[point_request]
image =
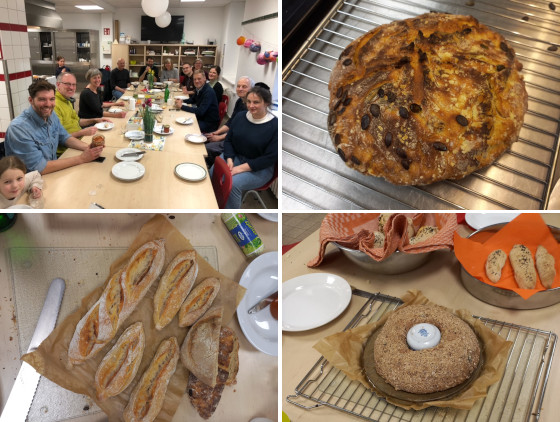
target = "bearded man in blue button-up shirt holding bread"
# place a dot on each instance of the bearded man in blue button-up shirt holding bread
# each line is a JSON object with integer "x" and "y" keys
{"x": 35, "y": 134}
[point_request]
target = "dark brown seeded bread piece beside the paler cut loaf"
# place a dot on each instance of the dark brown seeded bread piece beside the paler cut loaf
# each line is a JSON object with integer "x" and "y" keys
{"x": 205, "y": 399}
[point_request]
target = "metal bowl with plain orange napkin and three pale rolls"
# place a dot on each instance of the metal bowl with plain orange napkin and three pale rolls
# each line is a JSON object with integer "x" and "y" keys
{"x": 507, "y": 298}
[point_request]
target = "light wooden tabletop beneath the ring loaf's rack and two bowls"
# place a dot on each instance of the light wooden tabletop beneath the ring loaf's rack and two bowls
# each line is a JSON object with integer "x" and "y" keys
{"x": 439, "y": 280}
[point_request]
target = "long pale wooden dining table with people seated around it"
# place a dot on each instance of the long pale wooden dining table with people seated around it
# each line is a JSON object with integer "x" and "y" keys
{"x": 83, "y": 186}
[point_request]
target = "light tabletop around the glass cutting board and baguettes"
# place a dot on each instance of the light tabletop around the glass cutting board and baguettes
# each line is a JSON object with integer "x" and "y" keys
{"x": 258, "y": 373}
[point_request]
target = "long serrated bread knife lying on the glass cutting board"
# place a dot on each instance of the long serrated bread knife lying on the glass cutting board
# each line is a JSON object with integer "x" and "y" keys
{"x": 23, "y": 391}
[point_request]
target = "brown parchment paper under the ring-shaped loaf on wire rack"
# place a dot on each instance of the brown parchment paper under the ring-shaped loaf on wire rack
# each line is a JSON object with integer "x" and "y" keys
{"x": 344, "y": 352}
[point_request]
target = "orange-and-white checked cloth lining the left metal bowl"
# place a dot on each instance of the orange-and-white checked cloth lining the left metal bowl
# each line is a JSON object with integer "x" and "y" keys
{"x": 356, "y": 231}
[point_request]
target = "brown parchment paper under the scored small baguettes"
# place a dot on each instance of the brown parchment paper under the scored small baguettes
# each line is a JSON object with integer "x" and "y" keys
{"x": 51, "y": 358}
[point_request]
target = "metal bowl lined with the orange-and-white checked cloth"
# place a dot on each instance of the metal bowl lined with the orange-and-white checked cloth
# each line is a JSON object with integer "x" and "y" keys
{"x": 396, "y": 263}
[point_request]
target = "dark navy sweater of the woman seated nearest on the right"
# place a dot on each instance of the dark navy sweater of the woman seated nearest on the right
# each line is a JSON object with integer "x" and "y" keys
{"x": 258, "y": 143}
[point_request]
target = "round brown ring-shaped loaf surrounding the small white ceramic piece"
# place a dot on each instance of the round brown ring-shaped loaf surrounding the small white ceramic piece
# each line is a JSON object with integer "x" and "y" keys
{"x": 425, "y": 371}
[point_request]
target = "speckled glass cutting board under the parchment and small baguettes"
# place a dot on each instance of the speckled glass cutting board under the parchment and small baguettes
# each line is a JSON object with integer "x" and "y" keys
{"x": 32, "y": 270}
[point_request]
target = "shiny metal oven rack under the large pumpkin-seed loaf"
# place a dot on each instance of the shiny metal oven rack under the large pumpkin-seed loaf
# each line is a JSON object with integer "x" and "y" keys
{"x": 313, "y": 175}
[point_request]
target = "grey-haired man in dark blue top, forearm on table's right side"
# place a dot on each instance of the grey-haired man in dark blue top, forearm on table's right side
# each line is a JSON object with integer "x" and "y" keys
{"x": 204, "y": 104}
